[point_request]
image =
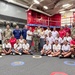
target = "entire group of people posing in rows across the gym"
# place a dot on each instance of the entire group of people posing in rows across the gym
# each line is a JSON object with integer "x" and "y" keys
{"x": 48, "y": 42}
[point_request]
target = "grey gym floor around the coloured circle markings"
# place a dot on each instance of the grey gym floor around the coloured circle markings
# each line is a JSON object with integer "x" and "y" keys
{"x": 43, "y": 66}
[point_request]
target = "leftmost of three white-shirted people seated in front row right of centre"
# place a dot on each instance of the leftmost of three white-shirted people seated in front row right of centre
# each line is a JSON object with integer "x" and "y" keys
{"x": 46, "y": 49}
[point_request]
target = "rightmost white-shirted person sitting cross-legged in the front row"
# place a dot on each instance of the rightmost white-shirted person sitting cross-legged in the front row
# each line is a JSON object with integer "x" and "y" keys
{"x": 66, "y": 49}
